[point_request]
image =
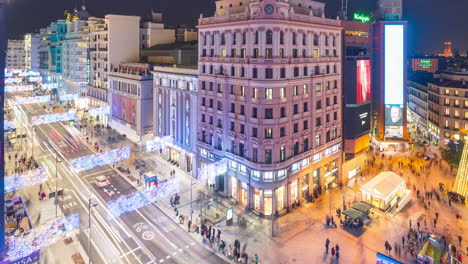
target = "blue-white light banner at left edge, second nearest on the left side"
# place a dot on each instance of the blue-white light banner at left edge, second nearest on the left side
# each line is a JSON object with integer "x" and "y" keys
{"x": 19, "y": 181}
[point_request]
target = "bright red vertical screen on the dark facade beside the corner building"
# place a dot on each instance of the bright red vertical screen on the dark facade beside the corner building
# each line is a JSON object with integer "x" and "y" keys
{"x": 363, "y": 81}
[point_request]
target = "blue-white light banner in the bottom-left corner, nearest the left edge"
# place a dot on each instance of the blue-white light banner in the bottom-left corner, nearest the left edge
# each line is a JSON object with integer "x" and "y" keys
{"x": 21, "y": 246}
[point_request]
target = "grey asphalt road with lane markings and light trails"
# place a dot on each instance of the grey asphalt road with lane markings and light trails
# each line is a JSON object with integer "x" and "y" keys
{"x": 146, "y": 235}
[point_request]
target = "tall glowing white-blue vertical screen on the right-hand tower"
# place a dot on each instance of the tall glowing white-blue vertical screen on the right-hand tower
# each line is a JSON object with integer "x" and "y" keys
{"x": 394, "y": 64}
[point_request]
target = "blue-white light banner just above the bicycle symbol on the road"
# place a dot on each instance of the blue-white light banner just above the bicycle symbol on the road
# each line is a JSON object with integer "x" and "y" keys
{"x": 139, "y": 199}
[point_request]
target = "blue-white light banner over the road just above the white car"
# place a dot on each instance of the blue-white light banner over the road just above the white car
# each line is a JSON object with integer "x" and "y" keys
{"x": 97, "y": 160}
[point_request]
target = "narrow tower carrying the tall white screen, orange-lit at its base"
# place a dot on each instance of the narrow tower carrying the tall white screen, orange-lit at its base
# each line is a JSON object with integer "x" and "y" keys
{"x": 389, "y": 53}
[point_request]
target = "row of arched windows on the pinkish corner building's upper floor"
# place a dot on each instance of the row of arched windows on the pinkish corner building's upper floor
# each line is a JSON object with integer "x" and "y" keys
{"x": 269, "y": 38}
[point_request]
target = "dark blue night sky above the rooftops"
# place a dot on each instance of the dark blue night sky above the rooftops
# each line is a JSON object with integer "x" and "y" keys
{"x": 431, "y": 22}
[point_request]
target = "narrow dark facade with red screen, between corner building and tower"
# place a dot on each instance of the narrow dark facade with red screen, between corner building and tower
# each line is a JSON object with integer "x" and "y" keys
{"x": 357, "y": 85}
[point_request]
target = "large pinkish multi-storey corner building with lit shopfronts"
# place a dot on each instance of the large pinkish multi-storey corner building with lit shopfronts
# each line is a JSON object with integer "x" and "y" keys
{"x": 270, "y": 101}
